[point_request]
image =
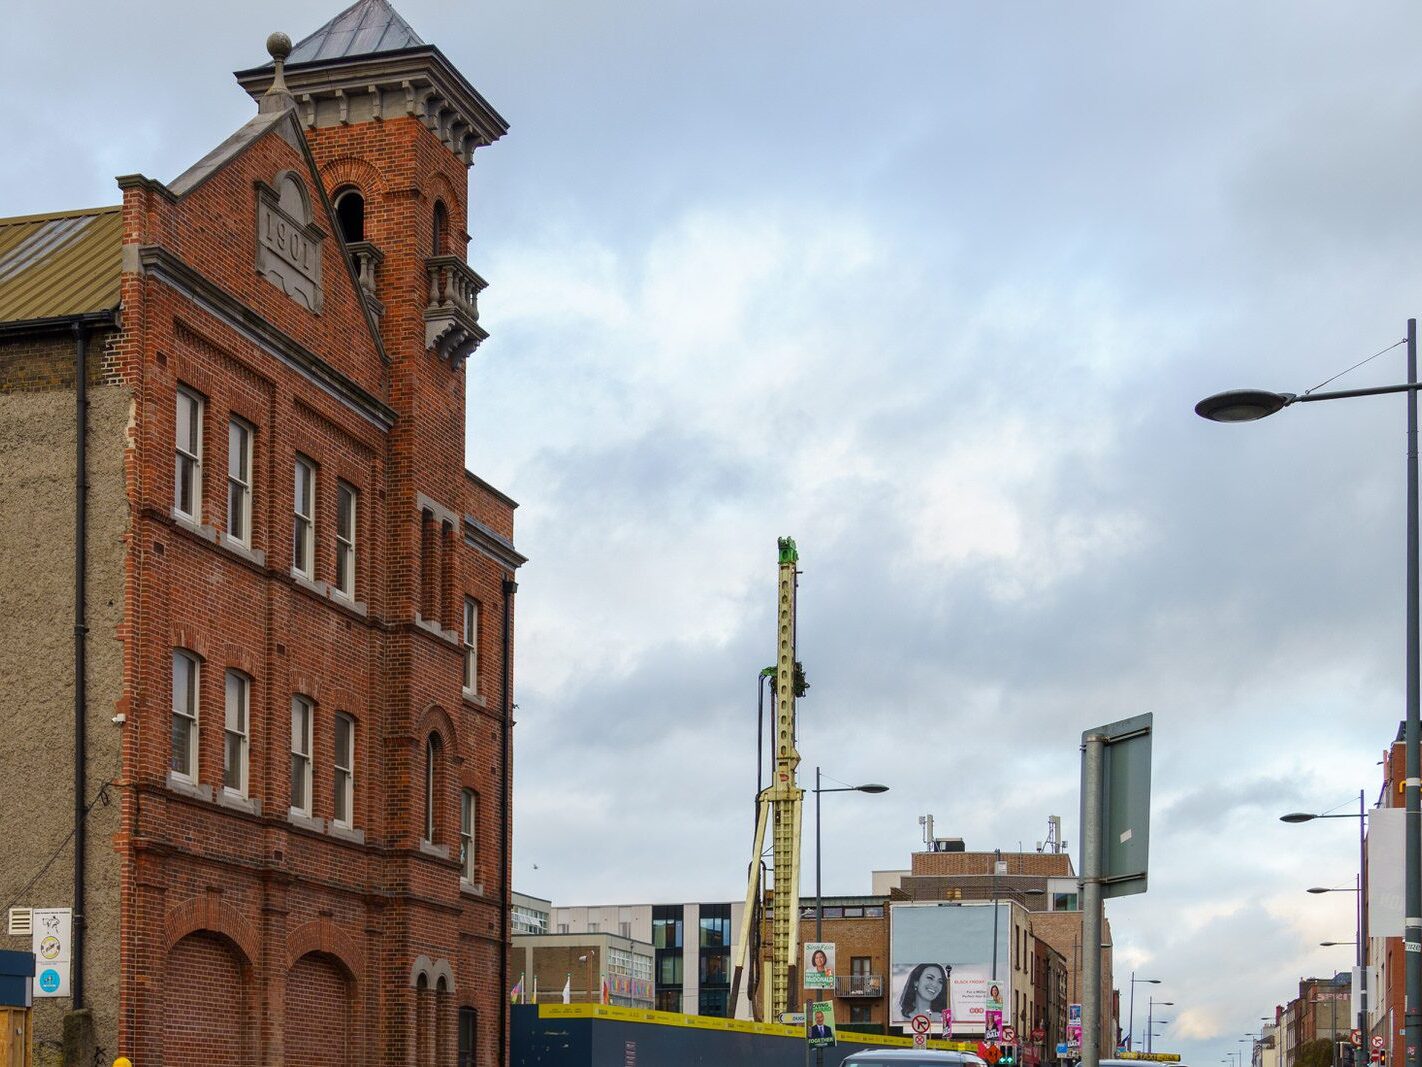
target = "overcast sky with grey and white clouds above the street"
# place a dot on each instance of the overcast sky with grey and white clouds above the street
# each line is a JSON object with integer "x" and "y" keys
{"x": 932, "y": 287}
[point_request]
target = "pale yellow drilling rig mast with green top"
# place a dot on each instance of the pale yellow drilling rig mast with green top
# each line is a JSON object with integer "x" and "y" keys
{"x": 779, "y": 810}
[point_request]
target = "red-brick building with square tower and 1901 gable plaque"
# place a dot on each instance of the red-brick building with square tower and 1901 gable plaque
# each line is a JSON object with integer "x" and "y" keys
{"x": 258, "y": 617}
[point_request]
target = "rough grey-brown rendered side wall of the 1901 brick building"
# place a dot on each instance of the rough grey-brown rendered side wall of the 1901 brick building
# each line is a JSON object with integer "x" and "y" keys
{"x": 38, "y": 674}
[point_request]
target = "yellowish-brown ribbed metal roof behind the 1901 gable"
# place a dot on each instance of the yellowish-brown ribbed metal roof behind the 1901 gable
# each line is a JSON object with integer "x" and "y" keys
{"x": 62, "y": 264}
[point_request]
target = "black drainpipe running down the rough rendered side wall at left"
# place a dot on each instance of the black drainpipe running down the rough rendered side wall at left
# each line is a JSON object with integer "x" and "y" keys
{"x": 80, "y": 642}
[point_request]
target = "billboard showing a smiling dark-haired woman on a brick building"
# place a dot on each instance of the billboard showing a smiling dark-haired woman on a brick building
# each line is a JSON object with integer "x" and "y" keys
{"x": 941, "y": 961}
